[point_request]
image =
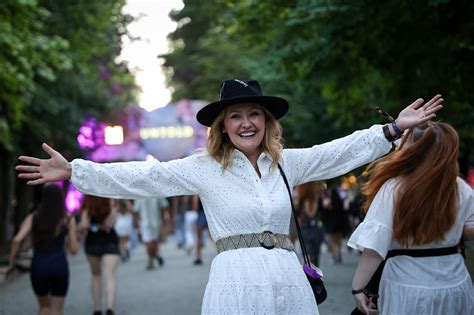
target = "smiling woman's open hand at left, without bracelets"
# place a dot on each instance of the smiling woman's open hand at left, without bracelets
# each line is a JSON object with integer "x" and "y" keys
{"x": 57, "y": 168}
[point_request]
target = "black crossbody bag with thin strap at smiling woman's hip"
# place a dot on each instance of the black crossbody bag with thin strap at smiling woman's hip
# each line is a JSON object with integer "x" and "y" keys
{"x": 313, "y": 274}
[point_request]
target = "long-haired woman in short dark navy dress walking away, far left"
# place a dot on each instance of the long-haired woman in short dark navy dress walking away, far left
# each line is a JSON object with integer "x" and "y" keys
{"x": 52, "y": 229}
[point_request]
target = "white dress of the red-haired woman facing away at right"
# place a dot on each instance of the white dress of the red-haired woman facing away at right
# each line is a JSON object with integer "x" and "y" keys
{"x": 426, "y": 285}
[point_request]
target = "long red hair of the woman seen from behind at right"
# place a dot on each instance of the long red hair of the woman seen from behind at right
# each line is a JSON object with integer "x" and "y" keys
{"x": 426, "y": 169}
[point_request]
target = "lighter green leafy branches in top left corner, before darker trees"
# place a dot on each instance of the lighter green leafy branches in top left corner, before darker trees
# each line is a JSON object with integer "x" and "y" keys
{"x": 27, "y": 53}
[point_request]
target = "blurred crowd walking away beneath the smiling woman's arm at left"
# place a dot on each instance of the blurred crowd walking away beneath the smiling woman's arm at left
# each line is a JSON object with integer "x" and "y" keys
{"x": 106, "y": 227}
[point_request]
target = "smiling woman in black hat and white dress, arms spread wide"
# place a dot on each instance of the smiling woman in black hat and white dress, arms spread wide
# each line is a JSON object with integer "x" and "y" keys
{"x": 242, "y": 191}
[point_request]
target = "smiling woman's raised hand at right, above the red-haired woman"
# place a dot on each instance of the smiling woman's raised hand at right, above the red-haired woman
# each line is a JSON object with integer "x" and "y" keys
{"x": 419, "y": 112}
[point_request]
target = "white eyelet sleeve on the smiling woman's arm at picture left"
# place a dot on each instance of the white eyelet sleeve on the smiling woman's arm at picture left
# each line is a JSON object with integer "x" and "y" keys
{"x": 135, "y": 180}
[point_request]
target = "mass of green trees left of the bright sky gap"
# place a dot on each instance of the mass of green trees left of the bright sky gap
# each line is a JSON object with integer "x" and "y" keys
{"x": 58, "y": 65}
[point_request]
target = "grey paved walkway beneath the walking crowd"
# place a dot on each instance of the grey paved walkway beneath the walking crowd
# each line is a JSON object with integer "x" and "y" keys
{"x": 176, "y": 288}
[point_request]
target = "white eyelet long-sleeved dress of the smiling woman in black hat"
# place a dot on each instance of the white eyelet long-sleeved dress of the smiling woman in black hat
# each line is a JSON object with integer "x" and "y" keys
{"x": 238, "y": 201}
